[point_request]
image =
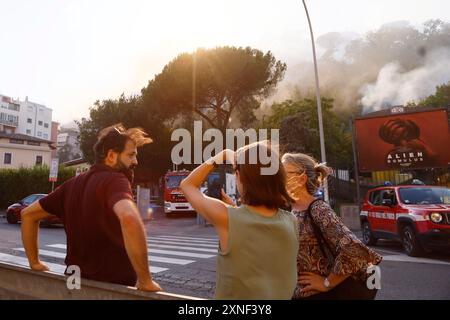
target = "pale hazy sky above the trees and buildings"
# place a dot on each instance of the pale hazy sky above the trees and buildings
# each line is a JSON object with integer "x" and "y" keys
{"x": 68, "y": 54}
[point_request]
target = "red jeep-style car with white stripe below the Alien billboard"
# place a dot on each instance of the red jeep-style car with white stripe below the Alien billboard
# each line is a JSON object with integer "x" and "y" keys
{"x": 416, "y": 215}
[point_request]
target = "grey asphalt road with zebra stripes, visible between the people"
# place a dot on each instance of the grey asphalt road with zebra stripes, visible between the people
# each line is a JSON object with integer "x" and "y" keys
{"x": 182, "y": 259}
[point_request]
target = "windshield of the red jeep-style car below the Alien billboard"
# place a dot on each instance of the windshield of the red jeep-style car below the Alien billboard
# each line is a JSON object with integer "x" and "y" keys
{"x": 423, "y": 195}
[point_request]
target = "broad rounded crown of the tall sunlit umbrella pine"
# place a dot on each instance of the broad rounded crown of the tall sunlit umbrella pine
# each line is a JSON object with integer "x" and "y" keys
{"x": 215, "y": 84}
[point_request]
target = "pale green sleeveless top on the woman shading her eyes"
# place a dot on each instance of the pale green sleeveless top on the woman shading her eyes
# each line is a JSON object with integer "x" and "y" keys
{"x": 261, "y": 258}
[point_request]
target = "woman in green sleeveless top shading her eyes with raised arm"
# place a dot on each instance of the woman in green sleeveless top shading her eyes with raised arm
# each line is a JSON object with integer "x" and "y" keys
{"x": 257, "y": 258}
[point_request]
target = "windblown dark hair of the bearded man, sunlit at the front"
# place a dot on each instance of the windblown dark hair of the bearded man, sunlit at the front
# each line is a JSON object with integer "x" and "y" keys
{"x": 115, "y": 138}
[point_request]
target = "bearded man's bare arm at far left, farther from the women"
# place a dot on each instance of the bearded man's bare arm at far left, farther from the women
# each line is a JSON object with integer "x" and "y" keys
{"x": 31, "y": 216}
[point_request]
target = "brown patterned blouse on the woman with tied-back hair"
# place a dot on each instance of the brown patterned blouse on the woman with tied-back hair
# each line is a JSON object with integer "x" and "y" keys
{"x": 352, "y": 257}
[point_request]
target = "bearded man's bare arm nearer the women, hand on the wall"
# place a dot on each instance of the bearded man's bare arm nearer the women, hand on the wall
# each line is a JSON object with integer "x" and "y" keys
{"x": 135, "y": 243}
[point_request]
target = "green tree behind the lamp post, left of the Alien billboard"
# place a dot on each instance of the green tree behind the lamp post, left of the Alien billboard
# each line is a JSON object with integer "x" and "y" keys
{"x": 298, "y": 124}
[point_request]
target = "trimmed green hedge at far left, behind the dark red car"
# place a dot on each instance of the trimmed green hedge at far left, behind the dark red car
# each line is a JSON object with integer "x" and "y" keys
{"x": 16, "y": 184}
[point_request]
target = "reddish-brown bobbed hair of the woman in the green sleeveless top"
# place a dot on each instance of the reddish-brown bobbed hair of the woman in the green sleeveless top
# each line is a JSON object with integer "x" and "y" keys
{"x": 267, "y": 190}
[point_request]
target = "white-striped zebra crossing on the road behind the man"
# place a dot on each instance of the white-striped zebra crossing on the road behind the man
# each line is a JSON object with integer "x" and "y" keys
{"x": 165, "y": 252}
